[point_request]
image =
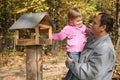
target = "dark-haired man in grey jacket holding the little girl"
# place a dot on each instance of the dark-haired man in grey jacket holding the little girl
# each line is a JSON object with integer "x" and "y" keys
{"x": 97, "y": 60}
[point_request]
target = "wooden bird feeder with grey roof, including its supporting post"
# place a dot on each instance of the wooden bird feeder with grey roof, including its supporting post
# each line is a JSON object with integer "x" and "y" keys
{"x": 38, "y": 28}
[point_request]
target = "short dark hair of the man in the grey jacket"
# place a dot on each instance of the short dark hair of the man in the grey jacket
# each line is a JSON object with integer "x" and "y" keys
{"x": 107, "y": 19}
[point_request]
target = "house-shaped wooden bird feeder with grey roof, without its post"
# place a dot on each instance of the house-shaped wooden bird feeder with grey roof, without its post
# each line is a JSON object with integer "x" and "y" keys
{"x": 37, "y": 25}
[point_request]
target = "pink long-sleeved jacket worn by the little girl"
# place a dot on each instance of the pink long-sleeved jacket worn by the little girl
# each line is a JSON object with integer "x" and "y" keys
{"x": 76, "y": 37}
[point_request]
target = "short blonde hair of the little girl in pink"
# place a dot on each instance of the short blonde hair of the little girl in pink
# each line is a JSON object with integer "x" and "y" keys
{"x": 74, "y": 13}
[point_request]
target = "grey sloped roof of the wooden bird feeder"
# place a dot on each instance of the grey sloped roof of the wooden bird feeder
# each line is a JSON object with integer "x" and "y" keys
{"x": 30, "y": 21}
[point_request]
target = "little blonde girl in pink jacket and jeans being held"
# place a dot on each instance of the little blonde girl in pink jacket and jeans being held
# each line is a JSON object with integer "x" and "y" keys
{"x": 75, "y": 32}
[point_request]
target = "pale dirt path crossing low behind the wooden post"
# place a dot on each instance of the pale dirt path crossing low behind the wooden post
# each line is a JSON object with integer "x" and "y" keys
{"x": 49, "y": 70}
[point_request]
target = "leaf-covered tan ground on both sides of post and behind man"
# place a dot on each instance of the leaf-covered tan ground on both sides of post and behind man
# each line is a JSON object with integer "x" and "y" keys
{"x": 13, "y": 67}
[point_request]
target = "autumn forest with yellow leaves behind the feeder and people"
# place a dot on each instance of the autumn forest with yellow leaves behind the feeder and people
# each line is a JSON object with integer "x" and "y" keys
{"x": 11, "y": 10}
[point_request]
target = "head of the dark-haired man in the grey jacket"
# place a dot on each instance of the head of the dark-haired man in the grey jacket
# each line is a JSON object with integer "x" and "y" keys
{"x": 102, "y": 24}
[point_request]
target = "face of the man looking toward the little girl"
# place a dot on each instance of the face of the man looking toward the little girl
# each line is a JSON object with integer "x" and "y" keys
{"x": 95, "y": 25}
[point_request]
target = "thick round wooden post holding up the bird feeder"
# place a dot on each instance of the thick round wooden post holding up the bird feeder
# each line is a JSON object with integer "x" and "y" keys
{"x": 34, "y": 63}
